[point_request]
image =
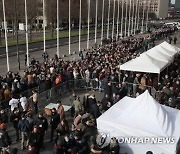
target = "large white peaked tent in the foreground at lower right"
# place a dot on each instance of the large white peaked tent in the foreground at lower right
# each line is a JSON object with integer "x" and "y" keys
{"x": 141, "y": 117}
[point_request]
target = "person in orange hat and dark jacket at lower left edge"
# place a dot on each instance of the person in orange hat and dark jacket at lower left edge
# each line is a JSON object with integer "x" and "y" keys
{"x": 5, "y": 140}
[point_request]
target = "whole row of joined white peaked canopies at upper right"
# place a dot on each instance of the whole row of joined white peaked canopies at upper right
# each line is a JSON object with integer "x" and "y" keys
{"x": 154, "y": 60}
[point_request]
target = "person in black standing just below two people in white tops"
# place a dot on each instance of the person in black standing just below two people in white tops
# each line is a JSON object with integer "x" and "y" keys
{"x": 14, "y": 118}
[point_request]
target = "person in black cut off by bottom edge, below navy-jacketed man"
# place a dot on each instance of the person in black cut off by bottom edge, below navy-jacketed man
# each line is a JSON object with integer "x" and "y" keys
{"x": 34, "y": 141}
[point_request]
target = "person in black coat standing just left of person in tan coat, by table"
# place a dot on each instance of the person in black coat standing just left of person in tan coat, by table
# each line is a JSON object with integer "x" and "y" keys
{"x": 55, "y": 120}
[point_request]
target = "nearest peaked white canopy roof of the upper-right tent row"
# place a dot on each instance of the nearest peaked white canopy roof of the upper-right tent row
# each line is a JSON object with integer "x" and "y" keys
{"x": 144, "y": 63}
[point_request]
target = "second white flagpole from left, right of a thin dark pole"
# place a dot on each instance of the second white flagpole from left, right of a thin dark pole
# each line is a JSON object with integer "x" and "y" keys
{"x": 27, "y": 45}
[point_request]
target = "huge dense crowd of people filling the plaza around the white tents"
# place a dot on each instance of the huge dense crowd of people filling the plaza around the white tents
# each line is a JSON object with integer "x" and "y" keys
{"x": 100, "y": 65}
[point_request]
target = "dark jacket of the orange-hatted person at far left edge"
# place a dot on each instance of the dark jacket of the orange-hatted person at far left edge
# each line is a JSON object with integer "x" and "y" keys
{"x": 5, "y": 140}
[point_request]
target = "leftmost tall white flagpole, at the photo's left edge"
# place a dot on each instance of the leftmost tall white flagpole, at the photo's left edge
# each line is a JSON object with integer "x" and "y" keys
{"x": 5, "y": 32}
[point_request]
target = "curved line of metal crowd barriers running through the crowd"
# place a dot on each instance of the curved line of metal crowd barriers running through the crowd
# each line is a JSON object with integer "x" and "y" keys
{"x": 68, "y": 87}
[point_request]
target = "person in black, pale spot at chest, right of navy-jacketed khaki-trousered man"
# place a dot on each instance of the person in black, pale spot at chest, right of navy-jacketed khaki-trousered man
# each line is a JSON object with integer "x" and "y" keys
{"x": 42, "y": 123}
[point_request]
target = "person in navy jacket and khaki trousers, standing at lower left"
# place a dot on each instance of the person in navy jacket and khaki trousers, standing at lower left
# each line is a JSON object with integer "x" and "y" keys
{"x": 23, "y": 127}
